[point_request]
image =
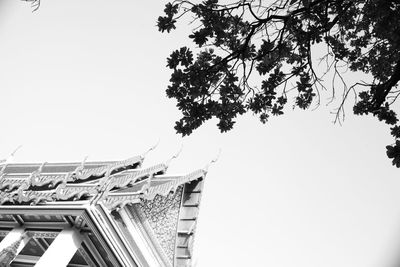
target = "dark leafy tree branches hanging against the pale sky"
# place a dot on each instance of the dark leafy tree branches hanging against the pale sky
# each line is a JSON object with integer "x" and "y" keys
{"x": 257, "y": 56}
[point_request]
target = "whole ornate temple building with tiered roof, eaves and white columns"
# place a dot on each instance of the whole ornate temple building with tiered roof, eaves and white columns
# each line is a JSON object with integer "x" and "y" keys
{"x": 111, "y": 213}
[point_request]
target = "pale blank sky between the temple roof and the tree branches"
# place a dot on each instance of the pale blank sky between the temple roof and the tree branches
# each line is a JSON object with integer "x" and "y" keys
{"x": 88, "y": 77}
